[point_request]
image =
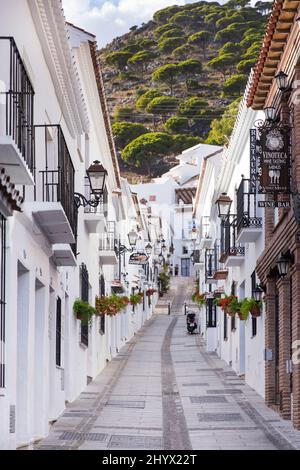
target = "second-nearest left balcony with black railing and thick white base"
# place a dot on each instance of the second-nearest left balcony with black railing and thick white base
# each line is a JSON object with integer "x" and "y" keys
{"x": 54, "y": 210}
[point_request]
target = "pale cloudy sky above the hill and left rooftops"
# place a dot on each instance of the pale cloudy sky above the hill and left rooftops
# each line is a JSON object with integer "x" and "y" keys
{"x": 111, "y": 18}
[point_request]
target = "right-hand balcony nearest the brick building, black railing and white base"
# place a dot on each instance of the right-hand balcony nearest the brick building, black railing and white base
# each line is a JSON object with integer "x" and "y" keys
{"x": 249, "y": 226}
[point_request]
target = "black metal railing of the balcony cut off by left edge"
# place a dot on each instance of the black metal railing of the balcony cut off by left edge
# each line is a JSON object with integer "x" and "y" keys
{"x": 17, "y": 89}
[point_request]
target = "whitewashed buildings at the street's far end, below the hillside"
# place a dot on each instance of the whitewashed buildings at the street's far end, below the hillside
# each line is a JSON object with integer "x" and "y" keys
{"x": 170, "y": 198}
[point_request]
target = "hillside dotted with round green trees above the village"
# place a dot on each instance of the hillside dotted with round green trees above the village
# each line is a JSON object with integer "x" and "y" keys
{"x": 176, "y": 81}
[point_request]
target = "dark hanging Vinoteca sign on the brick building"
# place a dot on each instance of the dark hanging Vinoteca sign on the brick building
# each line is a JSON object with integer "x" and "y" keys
{"x": 273, "y": 159}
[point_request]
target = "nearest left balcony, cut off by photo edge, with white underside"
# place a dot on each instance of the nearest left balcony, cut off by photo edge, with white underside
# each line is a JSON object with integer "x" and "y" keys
{"x": 16, "y": 116}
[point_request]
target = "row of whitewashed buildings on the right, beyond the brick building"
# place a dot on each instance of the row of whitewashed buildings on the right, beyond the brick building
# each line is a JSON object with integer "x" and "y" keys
{"x": 229, "y": 251}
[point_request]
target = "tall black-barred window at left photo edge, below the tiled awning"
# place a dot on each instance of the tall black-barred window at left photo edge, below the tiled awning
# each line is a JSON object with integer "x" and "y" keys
{"x": 2, "y": 299}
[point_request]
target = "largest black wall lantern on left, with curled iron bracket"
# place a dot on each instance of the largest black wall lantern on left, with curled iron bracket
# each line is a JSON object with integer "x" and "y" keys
{"x": 96, "y": 174}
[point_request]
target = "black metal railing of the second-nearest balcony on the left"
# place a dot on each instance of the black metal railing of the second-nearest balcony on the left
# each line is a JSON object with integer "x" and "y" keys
{"x": 55, "y": 181}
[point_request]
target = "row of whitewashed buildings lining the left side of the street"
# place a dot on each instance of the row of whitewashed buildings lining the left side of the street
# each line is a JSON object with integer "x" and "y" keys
{"x": 53, "y": 126}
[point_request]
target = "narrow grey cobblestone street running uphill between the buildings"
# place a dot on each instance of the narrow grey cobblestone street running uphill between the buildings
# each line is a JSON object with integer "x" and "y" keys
{"x": 163, "y": 391}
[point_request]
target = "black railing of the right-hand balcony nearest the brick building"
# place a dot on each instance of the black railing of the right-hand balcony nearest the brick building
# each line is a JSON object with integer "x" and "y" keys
{"x": 246, "y": 207}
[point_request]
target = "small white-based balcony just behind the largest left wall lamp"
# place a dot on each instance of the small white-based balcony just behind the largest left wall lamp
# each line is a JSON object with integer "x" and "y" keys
{"x": 95, "y": 217}
